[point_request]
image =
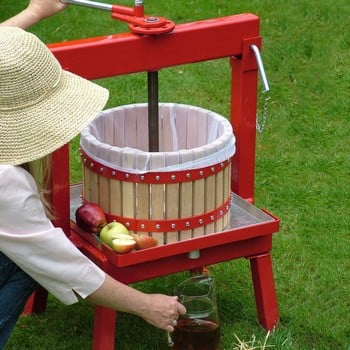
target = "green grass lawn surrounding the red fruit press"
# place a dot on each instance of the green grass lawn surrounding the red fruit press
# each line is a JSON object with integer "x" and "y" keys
{"x": 302, "y": 174}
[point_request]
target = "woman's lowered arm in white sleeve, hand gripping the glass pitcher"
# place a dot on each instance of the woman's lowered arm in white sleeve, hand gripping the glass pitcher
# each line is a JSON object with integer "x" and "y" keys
{"x": 49, "y": 257}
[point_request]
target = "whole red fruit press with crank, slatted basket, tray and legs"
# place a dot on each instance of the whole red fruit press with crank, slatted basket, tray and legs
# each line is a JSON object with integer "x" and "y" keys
{"x": 239, "y": 229}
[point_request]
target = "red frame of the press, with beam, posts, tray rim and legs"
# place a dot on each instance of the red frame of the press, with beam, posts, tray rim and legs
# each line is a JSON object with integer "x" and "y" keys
{"x": 127, "y": 53}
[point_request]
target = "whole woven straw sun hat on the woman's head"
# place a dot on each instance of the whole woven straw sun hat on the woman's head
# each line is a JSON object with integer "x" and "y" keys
{"x": 42, "y": 107}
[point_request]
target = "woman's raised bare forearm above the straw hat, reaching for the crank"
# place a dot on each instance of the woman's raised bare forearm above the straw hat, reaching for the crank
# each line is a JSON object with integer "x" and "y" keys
{"x": 35, "y": 12}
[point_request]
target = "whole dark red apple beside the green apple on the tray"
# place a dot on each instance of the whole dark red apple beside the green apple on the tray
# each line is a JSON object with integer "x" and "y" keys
{"x": 90, "y": 217}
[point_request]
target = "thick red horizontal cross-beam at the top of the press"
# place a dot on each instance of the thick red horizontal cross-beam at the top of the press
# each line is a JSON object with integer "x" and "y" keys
{"x": 126, "y": 53}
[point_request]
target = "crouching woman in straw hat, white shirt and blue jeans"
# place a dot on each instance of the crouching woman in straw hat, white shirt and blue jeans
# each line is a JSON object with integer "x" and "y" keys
{"x": 42, "y": 107}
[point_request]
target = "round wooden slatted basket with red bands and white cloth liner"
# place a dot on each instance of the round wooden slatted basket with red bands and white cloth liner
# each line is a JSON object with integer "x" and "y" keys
{"x": 180, "y": 192}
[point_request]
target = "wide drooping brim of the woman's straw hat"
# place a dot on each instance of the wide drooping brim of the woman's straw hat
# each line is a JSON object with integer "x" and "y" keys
{"x": 35, "y": 131}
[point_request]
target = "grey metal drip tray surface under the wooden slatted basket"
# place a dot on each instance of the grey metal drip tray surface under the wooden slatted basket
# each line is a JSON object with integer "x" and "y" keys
{"x": 242, "y": 213}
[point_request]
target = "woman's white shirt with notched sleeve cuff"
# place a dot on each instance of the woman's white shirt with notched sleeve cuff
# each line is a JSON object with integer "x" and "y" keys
{"x": 30, "y": 240}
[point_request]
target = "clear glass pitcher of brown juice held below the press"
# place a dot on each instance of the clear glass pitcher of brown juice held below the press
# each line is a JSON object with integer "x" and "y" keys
{"x": 199, "y": 328}
